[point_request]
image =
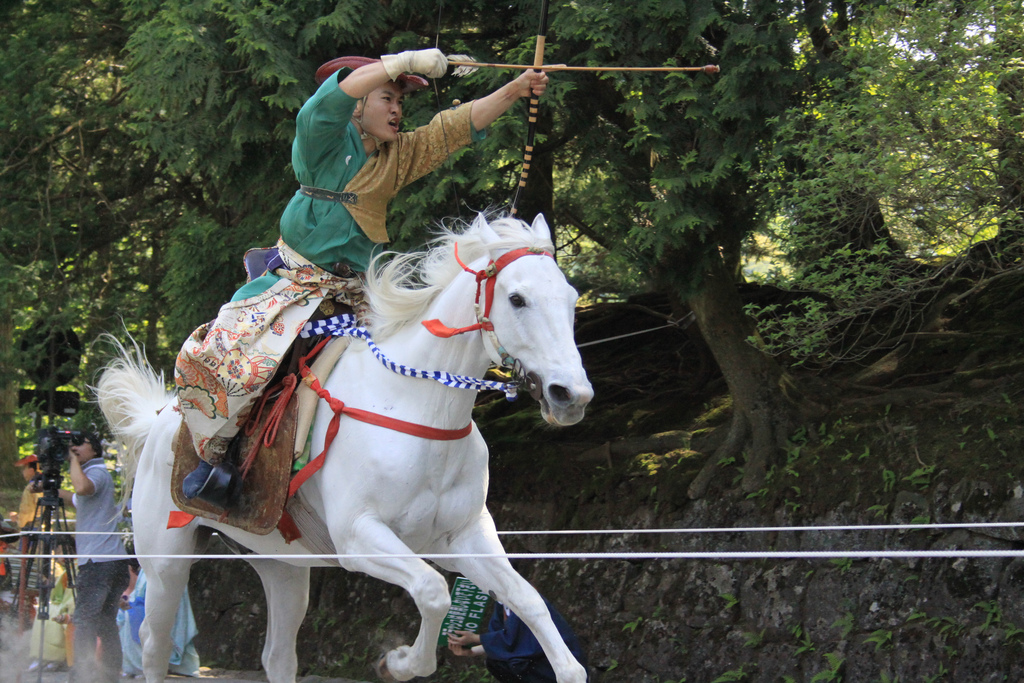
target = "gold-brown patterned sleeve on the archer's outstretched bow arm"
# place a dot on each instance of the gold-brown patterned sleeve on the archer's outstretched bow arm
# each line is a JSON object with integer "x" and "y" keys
{"x": 426, "y": 148}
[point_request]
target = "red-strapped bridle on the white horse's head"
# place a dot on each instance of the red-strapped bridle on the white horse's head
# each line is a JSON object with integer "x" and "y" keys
{"x": 487, "y": 280}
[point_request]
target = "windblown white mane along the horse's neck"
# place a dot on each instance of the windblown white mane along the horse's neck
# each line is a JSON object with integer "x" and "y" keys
{"x": 401, "y": 289}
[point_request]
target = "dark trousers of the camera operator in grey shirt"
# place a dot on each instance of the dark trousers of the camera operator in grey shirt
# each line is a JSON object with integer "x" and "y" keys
{"x": 97, "y": 599}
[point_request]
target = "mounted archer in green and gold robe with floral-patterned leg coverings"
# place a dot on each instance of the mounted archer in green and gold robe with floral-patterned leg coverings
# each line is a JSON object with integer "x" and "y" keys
{"x": 351, "y": 159}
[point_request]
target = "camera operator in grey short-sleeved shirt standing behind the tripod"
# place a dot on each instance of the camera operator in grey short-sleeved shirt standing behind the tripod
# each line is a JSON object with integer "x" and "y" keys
{"x": 102, "y": 579}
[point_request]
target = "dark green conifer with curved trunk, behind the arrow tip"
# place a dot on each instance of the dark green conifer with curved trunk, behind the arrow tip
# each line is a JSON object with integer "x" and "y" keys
{"x": 681, "y": 180}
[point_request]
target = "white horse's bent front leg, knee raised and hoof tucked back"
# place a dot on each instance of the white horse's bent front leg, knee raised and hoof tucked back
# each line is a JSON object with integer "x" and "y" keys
{"x": 425, "y": 585}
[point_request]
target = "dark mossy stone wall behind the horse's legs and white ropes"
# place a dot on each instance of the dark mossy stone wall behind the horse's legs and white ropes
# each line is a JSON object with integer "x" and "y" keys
{"x": 703, "y": 621}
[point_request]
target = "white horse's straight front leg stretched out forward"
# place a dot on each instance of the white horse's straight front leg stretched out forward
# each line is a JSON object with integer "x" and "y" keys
{"x": 496, "y": 576}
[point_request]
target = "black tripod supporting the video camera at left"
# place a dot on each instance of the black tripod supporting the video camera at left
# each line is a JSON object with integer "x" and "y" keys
{"x": 48, "y": 538}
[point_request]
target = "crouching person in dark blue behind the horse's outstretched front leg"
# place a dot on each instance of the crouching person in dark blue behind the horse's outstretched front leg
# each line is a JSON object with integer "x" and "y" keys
{"x": 514, "y": 654}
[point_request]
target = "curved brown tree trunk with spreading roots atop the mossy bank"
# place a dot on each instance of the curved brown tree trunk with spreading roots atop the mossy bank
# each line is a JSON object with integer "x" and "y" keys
{"x": 766, "y": 407}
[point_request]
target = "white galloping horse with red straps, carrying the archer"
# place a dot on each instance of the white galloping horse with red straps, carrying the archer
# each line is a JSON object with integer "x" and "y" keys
{"x": 385, "y": 497}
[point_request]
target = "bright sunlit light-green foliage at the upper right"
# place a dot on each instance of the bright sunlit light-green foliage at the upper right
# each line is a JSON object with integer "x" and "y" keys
{"x": 899, "y": 153}
